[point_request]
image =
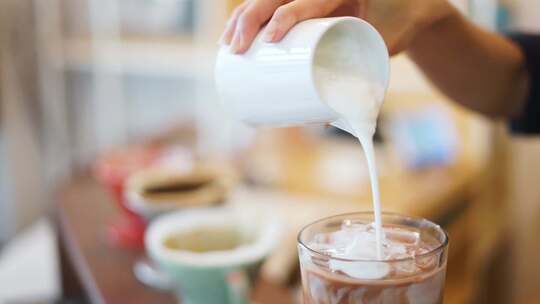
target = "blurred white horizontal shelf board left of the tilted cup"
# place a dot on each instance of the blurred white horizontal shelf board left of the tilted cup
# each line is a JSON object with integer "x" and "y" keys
{"x": 176, "y": 56}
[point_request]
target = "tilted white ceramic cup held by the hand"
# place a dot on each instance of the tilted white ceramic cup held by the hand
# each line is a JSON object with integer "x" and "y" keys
{"x": 273, "y": 84}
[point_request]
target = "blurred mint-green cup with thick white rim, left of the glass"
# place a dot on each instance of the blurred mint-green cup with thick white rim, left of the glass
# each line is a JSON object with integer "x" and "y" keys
{"x": 217, "y": 276}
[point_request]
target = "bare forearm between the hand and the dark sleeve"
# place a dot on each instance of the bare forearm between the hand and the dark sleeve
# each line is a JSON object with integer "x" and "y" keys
{"x": 481, "y": 70}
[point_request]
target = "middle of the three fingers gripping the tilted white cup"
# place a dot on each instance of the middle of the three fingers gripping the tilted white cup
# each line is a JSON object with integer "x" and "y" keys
{"x": 250, "y": 21}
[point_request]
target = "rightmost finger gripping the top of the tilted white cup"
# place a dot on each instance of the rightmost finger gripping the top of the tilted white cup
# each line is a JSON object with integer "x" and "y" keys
{"x": 288, "y": 15}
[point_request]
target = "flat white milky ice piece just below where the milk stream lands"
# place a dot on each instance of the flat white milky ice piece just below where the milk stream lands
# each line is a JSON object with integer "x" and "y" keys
{"x": 361, "y": 269}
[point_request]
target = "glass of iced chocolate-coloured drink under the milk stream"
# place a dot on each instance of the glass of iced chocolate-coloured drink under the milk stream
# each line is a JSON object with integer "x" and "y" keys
{"x": 339, "y": 261}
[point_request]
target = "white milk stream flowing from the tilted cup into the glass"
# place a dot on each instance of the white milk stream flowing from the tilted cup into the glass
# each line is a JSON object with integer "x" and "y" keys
{"x": 345, "y": 87}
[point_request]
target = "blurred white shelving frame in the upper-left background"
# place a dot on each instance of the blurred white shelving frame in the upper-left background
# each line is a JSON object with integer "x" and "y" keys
{"x": 109, "y": 58}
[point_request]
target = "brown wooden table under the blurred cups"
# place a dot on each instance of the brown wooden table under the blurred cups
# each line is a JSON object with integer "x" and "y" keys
{"x": 93, "y": 268}
